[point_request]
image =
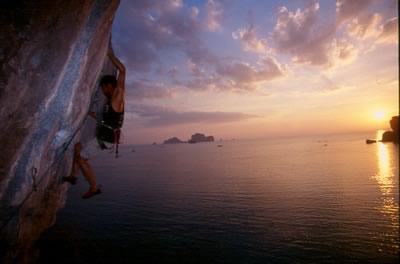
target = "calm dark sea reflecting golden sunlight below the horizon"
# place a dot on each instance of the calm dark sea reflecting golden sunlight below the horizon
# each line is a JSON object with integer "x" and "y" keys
{"x": 309, "y": 200}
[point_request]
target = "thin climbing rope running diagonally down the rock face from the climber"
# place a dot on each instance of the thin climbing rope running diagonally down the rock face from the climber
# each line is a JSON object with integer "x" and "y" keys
{"x": 34, "y": 170}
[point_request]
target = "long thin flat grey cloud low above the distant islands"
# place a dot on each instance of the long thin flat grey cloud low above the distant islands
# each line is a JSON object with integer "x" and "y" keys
{"x": 158, "y": 116}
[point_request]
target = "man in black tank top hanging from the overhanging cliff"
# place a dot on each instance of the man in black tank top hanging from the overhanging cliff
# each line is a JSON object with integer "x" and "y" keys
{"x": 108, "y": 130}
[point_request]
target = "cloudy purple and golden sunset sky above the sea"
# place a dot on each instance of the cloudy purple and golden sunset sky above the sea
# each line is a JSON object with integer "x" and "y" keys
{"x": 257, "y": 69}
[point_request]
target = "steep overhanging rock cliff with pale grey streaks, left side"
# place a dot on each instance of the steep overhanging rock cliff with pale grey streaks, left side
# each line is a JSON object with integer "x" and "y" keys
{"x": 52, "y": 54}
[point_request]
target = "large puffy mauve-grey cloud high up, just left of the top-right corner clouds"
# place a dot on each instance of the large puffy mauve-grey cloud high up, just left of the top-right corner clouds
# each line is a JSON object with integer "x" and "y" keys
{"x": 300, "y": 35}
